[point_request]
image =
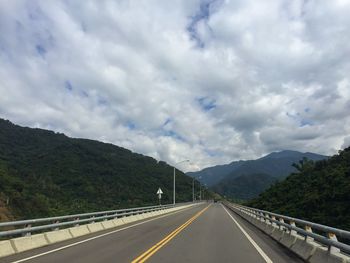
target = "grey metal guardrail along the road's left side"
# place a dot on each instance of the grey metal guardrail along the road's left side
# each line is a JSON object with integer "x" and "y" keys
{"x": 55, "y": 223}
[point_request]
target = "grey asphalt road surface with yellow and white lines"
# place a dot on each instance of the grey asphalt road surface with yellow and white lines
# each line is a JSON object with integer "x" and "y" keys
{"x": 203, "y": 233}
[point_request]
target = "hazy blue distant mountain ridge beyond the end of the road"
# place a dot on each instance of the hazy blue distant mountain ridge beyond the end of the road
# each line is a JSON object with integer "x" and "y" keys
{"x": 224, "y": 179}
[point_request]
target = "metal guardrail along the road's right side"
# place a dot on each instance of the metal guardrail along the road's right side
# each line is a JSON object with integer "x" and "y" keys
{"x": 300, "y": 227}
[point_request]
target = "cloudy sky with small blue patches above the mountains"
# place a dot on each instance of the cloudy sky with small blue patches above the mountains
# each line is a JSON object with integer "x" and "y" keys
{"x": 210, "y": 81}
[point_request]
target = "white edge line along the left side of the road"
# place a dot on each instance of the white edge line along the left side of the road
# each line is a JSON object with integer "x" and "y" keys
{"x": 92, "y": 238}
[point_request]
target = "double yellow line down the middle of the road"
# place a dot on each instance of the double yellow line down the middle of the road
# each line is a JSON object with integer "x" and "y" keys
{"x": 147, "y": 254}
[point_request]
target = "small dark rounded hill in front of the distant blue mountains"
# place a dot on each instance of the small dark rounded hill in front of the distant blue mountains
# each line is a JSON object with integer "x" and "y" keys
{"x": 245, "y": 186}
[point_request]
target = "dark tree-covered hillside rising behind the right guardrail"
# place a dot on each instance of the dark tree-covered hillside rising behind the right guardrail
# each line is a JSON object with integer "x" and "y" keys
{"x": 319, "y": 192}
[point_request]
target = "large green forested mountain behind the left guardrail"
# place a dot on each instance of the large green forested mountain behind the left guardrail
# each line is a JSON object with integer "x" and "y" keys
{"x": 43, "y": 173}
